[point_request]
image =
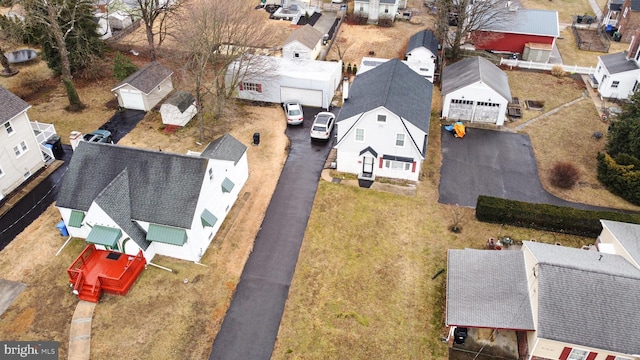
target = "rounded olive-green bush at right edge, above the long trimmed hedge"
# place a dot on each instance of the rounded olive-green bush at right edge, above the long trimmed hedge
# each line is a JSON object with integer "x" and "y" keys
{"x": 621, "y": 175}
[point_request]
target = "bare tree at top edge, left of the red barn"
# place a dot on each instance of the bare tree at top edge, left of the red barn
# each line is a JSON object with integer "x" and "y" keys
{"x": 457, "y": 19}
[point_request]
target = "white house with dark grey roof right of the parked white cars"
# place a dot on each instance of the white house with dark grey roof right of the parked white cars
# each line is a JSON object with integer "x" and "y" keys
{"x": 383, "y": 127}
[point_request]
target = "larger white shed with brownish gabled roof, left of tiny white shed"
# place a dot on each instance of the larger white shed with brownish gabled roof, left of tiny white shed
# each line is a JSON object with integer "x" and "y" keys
{"x": 145, "y": 88}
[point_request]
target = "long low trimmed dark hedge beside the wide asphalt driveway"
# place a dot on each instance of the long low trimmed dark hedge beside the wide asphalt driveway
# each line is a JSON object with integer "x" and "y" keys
{"x": 547, "y": 217}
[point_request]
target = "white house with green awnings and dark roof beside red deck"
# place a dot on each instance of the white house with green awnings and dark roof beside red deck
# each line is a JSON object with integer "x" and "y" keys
{"x": 129, "y": 199}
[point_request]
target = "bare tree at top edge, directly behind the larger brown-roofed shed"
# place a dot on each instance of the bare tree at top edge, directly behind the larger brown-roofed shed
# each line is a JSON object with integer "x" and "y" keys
{"x": 158, "y": 17}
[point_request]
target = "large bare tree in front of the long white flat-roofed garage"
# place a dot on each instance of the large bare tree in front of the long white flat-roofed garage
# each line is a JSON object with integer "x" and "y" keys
{"x": 216, "y": 35}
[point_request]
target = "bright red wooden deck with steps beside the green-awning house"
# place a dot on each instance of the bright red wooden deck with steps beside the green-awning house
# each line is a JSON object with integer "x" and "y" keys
{"x": 95, "y": 271}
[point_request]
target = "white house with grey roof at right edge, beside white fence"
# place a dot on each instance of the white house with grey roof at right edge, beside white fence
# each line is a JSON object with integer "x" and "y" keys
{"x": 617, "y": 75}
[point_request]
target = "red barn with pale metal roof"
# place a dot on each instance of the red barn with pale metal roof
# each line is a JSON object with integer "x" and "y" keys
{"x": 519, "y": 28}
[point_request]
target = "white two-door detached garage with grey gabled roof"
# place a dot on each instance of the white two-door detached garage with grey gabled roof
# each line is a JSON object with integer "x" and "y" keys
{"x": 475, "y": 90}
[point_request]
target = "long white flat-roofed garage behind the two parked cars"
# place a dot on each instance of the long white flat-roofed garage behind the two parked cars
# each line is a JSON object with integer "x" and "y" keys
{"x": 312, "y": 83}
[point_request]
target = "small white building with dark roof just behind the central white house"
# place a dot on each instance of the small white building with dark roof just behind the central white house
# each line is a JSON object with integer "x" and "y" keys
{"x": 423, "y": 51}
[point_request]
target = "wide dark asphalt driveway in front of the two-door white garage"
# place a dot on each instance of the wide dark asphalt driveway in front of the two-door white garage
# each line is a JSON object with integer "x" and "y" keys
{"x": 492, "y": 163}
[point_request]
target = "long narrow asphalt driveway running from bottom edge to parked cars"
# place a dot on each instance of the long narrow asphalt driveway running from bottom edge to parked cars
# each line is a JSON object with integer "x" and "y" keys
{"x": 251, "y": 324}
